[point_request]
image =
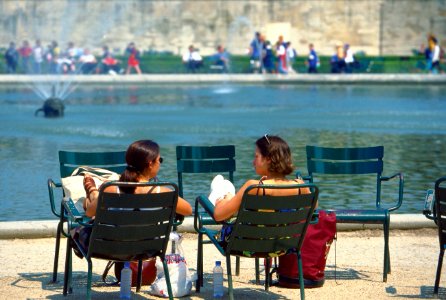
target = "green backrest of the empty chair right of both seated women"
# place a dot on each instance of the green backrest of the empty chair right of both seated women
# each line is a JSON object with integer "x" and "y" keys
{"x": 347, "y": 161}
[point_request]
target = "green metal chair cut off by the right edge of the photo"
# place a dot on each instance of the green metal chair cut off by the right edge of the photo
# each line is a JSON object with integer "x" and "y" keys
{"x": 435, "y": 209}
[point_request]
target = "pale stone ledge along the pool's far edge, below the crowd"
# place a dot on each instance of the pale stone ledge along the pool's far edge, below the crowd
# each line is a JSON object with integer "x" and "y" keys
{"x": 300, "y": 78}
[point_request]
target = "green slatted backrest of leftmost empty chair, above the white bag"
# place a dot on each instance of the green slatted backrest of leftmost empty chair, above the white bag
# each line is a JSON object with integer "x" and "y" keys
{"x": 69, "y": 161}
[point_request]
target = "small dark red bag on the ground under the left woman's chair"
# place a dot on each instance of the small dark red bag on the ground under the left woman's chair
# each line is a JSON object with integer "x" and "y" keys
{"x": 148, "y": 272}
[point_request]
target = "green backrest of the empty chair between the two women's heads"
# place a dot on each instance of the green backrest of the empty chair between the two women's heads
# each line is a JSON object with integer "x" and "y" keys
{"x": 205, "y": 159}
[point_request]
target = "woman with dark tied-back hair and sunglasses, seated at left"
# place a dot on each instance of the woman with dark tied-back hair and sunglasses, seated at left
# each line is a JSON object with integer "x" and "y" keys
{"x": 143, "y": 163}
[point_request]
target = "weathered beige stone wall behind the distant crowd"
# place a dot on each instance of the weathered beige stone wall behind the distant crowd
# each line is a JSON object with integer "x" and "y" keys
{"x": 374, "y": 26}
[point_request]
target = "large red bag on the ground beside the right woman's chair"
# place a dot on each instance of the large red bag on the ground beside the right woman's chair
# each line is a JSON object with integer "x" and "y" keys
{"x": 314, "y": 253}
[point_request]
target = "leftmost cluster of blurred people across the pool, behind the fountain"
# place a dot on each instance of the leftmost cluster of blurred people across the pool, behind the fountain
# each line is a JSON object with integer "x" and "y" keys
{"x": 73, "y": 60}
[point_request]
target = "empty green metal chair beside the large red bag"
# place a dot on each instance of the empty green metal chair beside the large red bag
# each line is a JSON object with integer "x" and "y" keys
{"x": 357, "y": 161}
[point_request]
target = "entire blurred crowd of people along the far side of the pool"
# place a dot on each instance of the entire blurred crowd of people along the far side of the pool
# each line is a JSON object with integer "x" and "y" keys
{"x": 264, "y": 57}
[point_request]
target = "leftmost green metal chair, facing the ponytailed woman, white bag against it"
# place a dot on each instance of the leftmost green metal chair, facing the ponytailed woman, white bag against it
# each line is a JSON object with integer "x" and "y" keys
{"x": 68, "y": 162}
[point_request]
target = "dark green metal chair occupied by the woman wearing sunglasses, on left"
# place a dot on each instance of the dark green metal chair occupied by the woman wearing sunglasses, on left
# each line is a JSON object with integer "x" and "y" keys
{"x": 127, "y": 227}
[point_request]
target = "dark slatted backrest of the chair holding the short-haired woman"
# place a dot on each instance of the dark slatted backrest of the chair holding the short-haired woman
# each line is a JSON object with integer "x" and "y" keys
{"x": 269, "y": 224}
